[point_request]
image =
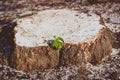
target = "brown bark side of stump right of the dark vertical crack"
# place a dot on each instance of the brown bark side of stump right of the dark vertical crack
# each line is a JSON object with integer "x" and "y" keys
{"x": 92, "y": 51}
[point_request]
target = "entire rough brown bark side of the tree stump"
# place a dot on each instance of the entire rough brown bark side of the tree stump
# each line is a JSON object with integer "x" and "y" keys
{"x": 35, "y": 58}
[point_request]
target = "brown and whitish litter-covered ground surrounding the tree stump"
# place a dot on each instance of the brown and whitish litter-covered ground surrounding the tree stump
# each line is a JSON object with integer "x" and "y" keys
{"x": 108, "y": 69}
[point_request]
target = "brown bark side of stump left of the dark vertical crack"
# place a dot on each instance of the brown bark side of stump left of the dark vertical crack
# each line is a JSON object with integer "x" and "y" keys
{"x": 29, "y": 59}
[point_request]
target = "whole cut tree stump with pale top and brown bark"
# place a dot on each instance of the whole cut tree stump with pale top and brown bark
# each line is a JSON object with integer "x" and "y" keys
{"x": 86, "y": 39}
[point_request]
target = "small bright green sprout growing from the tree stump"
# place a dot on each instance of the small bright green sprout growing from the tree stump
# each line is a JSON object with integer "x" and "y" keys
{"x": 57, "y": 43}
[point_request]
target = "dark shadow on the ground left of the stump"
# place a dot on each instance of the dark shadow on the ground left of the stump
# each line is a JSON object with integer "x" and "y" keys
{"x": 6, "y": 40}
